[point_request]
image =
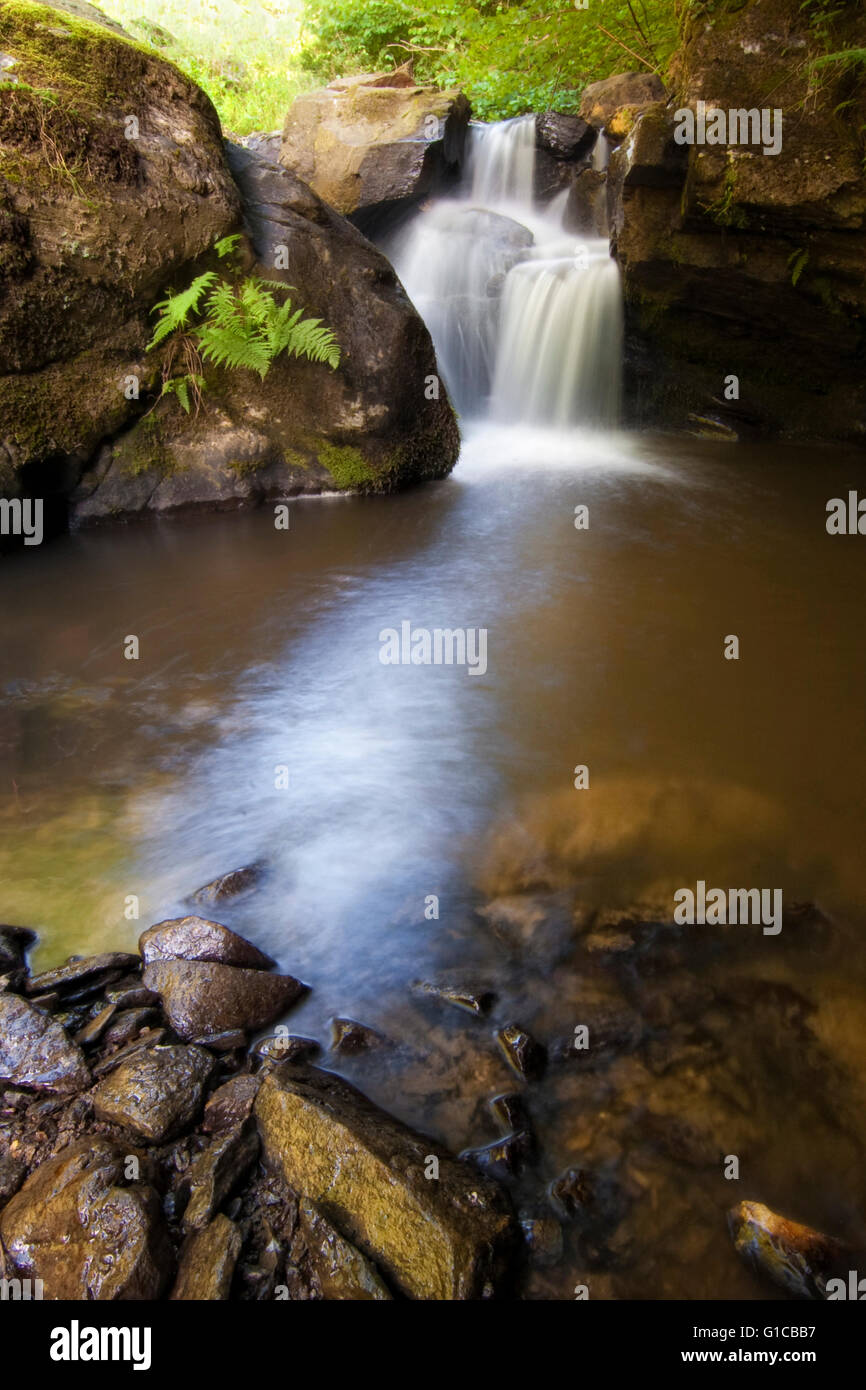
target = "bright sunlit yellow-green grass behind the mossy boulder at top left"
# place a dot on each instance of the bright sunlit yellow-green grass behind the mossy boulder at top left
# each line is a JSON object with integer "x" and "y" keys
{"x": 243, "y": 52}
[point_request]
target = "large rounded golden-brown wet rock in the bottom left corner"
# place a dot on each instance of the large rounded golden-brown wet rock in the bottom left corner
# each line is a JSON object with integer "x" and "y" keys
{"x": 84, "y": 1235}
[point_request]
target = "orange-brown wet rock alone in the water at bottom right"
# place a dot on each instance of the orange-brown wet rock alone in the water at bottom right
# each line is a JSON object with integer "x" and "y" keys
{"x": 796, "y": 1259}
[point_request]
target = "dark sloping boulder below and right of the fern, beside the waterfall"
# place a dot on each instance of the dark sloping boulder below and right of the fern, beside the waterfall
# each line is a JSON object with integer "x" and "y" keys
{"x": 373, "y": 426}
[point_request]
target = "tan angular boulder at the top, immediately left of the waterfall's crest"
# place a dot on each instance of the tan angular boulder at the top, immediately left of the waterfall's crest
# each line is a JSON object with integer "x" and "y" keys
{"x": 376, "y": 142}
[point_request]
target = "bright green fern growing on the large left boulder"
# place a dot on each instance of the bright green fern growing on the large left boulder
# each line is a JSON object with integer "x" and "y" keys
{"x": 233, "y": 323}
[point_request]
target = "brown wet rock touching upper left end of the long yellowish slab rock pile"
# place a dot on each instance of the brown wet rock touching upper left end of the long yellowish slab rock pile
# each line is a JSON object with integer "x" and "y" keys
{"x": 156, "y": 1093}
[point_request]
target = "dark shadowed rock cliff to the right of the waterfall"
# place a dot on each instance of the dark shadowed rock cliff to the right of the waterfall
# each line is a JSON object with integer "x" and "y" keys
{"x": 742, "y": 265}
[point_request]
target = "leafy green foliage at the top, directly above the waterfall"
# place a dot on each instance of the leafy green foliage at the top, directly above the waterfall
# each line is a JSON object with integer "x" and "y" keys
{"x": 508, "y": 58}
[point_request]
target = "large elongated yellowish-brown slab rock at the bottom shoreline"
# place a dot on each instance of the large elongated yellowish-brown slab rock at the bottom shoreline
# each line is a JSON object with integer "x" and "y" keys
{"x": 365, "y": 1171}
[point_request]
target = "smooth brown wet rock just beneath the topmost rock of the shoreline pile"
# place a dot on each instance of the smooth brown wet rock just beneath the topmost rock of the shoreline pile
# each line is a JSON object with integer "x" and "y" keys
{"x": 204, "y": 999}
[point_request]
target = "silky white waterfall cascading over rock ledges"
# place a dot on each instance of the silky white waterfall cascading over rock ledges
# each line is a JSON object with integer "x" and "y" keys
{"x": 526, "y": 318}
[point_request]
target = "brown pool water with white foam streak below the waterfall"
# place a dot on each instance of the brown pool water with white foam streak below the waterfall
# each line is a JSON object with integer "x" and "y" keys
{"x": 259, "y": 650}
